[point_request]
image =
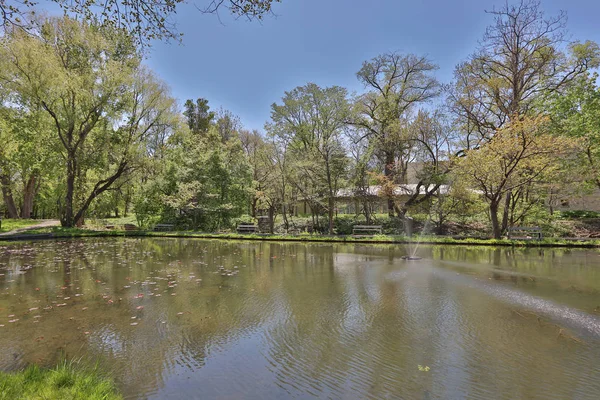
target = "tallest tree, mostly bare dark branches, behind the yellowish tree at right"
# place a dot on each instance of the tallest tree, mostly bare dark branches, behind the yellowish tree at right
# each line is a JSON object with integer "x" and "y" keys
{"x": 522, "y": 58}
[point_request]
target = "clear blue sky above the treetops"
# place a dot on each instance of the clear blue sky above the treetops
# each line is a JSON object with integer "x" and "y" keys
{"x": 246, "y": 66}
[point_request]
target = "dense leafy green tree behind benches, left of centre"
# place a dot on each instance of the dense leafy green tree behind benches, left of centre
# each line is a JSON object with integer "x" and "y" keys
{"x": 208, "y": 182}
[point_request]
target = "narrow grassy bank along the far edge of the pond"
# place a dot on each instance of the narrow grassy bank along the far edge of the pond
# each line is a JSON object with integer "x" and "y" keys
{"x": 58, "y": 232}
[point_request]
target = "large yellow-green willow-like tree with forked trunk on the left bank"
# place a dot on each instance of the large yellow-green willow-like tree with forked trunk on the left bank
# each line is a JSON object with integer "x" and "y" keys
{"x": 101, "y": 103}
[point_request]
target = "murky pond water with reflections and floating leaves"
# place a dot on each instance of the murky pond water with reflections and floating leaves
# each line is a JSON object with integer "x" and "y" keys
{"x": 185, "y": 319}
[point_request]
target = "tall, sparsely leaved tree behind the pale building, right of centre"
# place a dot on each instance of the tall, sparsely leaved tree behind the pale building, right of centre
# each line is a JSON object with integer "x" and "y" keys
{"x": 396, "y": 84}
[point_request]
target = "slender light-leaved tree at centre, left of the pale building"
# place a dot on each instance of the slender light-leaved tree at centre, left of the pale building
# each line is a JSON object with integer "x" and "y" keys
{"x": 314, "y": 118}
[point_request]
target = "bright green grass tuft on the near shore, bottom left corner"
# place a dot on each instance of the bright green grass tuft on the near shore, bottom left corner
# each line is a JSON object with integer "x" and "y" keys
{"x": 66, "y": 381}
